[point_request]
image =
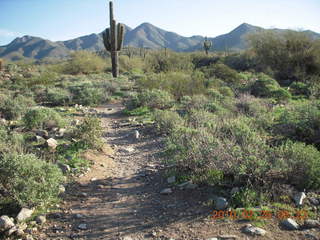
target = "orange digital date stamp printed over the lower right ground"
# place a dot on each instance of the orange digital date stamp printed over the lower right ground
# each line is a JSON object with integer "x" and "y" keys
{"x": 259, "y": 214}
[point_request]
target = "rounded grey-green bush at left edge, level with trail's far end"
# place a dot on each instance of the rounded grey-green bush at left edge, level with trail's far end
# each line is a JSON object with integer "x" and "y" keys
{"x": 14, "y": 107}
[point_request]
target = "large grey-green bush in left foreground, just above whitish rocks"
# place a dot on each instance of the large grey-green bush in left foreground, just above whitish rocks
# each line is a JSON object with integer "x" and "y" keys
{"x": 28, "y": 180}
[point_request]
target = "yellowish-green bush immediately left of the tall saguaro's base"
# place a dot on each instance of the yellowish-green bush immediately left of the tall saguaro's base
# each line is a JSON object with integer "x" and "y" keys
{"x": 84, "y": 62}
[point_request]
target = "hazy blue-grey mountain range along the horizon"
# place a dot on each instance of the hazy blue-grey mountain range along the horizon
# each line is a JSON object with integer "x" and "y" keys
{"x": 145, "y": 35}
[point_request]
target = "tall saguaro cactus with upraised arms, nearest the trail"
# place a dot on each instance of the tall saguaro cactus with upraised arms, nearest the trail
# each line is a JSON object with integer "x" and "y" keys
{"x": 113, "y": 40}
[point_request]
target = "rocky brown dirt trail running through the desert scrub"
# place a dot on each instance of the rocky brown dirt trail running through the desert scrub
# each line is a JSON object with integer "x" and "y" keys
{"x": 120, "y": 197}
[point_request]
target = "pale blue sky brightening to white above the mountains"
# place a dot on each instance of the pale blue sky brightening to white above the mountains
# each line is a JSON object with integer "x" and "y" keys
{"x": 67, "y": 19}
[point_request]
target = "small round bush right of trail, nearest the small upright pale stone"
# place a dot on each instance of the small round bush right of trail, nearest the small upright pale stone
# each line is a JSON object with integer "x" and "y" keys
{"x": 167, "y": 121}
